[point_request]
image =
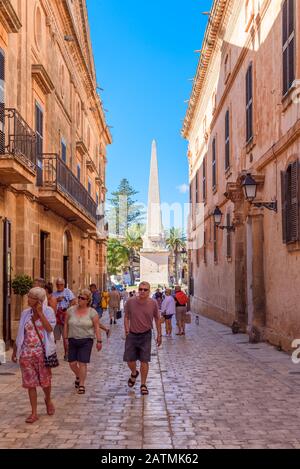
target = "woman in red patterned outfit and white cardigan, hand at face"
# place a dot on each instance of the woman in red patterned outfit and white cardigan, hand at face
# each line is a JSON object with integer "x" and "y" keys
{"x": 33, "y": 348}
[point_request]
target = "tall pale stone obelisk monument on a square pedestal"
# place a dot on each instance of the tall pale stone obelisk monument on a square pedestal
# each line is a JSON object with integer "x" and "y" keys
{"x": 154, "y": 257}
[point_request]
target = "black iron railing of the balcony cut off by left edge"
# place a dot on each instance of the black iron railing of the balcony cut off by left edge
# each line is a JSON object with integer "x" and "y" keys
{"x": 17, "y": 138}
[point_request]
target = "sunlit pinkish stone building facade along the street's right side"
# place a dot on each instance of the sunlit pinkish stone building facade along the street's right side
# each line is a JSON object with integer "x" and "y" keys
{"x": 243, "y": 118}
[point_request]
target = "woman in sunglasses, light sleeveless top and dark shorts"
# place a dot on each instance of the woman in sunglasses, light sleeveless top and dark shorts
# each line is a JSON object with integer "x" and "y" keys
{"x": 81, "y": 327}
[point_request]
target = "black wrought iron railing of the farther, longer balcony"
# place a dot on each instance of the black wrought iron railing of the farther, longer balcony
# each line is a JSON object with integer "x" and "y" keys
{"x": 54, "y": 174}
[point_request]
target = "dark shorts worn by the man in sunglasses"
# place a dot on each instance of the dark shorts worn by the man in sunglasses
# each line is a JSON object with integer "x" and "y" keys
{"x": 138, "y": 347}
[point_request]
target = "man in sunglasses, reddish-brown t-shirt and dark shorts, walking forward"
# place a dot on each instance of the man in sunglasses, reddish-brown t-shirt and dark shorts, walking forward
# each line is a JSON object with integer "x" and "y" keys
{"x": 140, "y": 311}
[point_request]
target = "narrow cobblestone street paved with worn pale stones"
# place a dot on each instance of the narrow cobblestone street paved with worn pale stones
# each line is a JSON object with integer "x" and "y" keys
{"x": 209, "y": 389}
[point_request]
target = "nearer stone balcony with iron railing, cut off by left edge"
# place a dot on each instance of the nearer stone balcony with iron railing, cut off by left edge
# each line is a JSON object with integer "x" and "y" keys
{"x": 17, "y": 150}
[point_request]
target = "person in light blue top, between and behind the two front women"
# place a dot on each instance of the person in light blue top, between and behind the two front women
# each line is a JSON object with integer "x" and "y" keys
{"x": 65, "y": 298}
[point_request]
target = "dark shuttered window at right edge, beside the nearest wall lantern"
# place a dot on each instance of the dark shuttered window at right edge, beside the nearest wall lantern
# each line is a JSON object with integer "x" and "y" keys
{"x": 290, "y": 200}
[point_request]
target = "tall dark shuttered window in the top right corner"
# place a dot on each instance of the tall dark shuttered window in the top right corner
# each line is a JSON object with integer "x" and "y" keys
{"x": 288, "y": 44}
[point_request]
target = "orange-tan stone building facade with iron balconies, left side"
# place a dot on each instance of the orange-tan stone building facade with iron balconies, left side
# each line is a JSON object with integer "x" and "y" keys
{"x": 53, "y": 139}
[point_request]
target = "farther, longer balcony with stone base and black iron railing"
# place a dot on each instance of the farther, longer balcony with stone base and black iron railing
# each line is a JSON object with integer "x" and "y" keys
{"x": 60, "y": 191}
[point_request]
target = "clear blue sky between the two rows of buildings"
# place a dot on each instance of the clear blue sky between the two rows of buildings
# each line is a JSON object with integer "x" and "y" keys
{"x": 144, "y": 56}
